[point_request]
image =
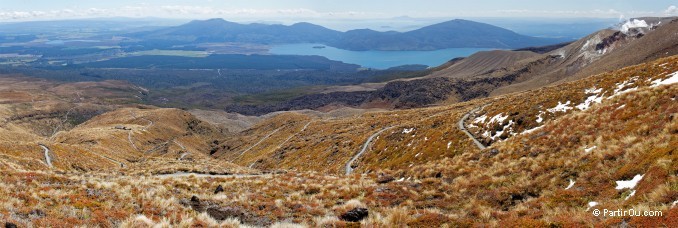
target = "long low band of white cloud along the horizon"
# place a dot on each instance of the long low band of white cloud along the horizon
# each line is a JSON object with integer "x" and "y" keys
{"x": 202, "y": 12}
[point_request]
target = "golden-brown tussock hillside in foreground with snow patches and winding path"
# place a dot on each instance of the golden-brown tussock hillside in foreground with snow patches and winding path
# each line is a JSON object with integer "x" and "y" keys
{"x": 554, "y": 155}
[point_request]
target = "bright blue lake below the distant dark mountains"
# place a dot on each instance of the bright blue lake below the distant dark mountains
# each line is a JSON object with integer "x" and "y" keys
{"x": 376, "y": 59}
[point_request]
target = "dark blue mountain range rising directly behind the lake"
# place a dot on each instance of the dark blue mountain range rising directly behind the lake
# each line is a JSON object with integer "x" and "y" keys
{"x": 451, "y": 34}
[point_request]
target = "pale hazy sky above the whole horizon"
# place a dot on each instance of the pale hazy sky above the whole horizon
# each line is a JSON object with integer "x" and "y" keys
{"x": 31, "y": 10}
